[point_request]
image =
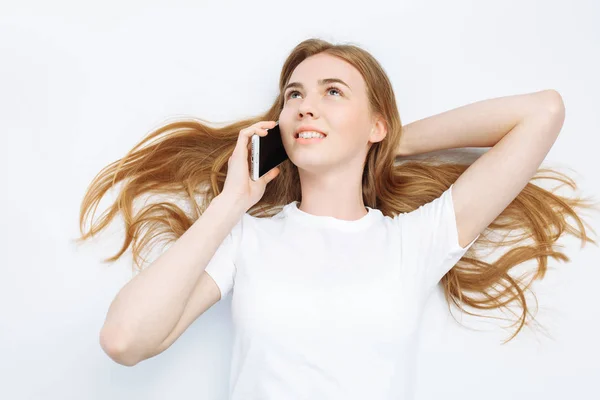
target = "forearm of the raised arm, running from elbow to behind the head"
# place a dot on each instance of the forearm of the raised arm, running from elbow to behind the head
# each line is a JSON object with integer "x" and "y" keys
{"x": 479, "y": 124}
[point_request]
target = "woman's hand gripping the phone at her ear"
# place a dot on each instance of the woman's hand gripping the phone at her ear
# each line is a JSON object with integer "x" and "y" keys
{"x": 238, "y": 184}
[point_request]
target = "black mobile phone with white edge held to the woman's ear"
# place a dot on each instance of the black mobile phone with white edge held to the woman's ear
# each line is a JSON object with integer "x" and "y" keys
{"x": 267, "y": 152}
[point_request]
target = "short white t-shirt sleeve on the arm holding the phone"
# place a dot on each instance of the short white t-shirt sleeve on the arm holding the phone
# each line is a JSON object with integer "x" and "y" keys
{"x": 221, "y": 267}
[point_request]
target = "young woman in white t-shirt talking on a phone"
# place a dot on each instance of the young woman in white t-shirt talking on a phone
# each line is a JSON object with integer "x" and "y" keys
{"x": 331, "y": 255}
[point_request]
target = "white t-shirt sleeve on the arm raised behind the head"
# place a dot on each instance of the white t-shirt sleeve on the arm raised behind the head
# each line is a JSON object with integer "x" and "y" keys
{"x": 429, "y": 240}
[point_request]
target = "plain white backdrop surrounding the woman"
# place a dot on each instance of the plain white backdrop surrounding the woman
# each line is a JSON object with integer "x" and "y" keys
{"x": 80, "y": 84}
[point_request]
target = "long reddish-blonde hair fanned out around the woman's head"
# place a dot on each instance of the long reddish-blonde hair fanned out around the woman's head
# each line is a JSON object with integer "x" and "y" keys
{"x": 187, "y": 159}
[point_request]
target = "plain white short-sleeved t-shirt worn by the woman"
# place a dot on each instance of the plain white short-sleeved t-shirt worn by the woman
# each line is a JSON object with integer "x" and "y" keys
{"x": 325, "y": 308}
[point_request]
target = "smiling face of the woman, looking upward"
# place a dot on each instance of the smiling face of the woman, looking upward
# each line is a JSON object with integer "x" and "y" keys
{"x": 338, "y": 109}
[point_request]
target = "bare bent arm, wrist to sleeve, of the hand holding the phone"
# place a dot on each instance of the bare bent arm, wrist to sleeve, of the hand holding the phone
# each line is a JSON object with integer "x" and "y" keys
{"x": 146, "y": 315}
